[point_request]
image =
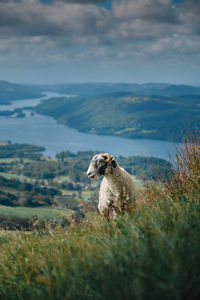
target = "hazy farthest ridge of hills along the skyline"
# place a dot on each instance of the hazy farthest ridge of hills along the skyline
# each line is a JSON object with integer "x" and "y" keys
{"x": 12, "y": 91}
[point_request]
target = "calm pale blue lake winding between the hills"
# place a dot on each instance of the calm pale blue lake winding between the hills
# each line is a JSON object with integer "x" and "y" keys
{"x": 45, "y": 131}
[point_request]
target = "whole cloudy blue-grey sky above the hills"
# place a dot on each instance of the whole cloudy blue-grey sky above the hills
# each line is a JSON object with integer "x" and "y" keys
{"x": 133, "y": 41}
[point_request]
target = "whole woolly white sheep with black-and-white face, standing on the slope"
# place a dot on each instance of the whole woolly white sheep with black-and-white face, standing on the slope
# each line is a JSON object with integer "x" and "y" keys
{"x": 116, "y": 194}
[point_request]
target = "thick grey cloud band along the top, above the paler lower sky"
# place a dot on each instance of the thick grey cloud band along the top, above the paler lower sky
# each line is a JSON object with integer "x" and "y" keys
{"x": 128, "y": 19}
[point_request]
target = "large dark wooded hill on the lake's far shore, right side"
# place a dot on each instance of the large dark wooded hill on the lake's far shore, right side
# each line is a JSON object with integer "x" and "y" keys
{"x": 127, "y": 114}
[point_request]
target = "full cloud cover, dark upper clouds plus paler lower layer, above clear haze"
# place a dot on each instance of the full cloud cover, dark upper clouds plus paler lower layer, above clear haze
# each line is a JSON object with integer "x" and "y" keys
{"x": 131, "y": 28}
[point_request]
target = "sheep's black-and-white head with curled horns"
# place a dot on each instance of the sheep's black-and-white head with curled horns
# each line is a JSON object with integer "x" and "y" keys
{"x": 101, "y": 164}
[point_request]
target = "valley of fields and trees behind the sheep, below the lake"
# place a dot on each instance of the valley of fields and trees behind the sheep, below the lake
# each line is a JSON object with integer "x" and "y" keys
{"x": 34, "y": 186}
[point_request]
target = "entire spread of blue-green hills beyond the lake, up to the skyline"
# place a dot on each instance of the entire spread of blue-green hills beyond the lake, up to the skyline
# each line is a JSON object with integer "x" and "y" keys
{"x": 155, "y": 111}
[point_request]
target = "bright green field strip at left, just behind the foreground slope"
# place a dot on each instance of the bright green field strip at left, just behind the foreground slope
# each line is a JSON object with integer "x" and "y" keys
{"x": 43, "y": 213}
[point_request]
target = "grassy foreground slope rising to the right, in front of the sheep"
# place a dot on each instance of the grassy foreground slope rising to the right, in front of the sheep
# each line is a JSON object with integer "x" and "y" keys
{"x": 153, "y": 253}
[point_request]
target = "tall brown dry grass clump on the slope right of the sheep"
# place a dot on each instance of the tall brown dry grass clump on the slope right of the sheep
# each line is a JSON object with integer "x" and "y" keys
{"x": 185, "y": 179}
